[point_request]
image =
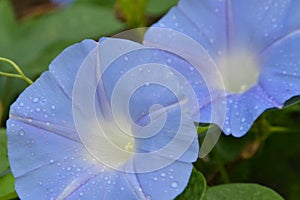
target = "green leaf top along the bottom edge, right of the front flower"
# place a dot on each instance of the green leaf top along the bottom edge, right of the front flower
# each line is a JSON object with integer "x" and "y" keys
{"x": 241, "y": 191}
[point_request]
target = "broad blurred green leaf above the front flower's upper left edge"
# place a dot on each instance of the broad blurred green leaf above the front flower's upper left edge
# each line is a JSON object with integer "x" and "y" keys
{"x": 72, "y": 24}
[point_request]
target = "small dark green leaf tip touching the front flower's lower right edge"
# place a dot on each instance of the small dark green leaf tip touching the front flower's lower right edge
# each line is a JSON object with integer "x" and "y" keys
{"x": 196, "y": 187}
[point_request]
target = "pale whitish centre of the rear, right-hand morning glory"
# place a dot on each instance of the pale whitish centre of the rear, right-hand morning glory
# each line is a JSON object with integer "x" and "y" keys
{"x": 239, "y": 70}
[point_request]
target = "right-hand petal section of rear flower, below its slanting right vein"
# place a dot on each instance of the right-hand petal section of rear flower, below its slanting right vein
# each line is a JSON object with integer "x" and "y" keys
{"x": 280, "y": 76}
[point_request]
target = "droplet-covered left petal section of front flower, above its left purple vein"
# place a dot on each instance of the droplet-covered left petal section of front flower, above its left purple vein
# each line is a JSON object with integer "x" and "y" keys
{"x": 41, "y": 105}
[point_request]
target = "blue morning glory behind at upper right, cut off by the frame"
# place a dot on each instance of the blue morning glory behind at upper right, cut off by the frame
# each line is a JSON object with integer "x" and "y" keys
{"x": 254, "y": 44}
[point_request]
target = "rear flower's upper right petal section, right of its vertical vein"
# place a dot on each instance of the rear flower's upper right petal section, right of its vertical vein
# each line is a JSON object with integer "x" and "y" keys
{"x": 259, "y": 23}
